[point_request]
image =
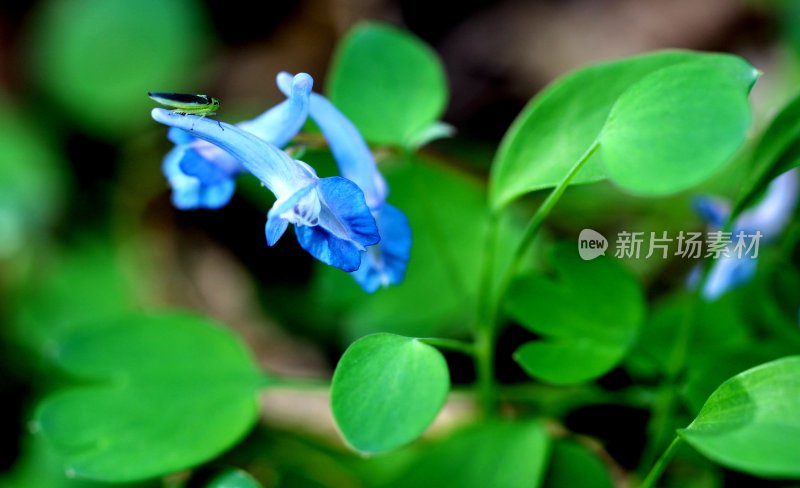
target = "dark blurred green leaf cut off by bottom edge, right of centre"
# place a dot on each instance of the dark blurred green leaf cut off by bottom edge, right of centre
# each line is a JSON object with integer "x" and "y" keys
{"x": 573, "y": 465}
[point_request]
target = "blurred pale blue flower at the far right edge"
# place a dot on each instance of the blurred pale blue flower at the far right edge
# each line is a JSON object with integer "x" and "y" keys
{"x": 768, "y": 217}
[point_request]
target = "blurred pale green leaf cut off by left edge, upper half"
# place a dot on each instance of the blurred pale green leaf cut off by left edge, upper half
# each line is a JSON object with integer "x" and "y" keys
{"x": 32, "y": 181}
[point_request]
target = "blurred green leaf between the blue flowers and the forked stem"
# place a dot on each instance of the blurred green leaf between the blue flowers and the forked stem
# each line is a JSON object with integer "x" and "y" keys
{"x": 447, "y": 212}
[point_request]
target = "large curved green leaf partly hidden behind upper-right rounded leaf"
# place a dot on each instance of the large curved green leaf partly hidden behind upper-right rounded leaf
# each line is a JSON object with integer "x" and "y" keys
{"x": 564, "y": 120}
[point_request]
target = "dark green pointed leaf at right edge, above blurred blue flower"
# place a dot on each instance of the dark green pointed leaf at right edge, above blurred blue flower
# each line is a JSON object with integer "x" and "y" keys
{"x": 777, "y": 151}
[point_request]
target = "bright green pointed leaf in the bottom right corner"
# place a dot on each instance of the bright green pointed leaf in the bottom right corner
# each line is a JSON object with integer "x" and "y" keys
{"x": 752, "y": 422}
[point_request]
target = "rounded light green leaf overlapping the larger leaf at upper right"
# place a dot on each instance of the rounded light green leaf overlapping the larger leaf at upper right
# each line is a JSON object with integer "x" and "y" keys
{"x": 675, "y": 128}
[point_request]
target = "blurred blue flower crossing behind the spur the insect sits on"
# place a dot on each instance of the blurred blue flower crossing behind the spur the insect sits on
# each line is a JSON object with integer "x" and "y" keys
{"x": 203, "y": 176}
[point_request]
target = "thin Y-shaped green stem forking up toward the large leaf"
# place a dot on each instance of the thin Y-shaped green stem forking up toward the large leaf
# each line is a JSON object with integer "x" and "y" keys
{"x": 489, "y": 304}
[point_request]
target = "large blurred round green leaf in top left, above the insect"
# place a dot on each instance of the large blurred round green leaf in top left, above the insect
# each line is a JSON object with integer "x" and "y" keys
{"x": 98, "y": 59}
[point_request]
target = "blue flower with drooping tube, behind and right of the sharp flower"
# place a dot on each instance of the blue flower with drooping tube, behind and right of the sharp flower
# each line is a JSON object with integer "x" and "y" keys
{"x": 383, "y": 264}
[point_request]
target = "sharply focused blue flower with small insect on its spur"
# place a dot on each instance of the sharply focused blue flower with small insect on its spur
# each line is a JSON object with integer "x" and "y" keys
{"x": 332, "y": 220}
